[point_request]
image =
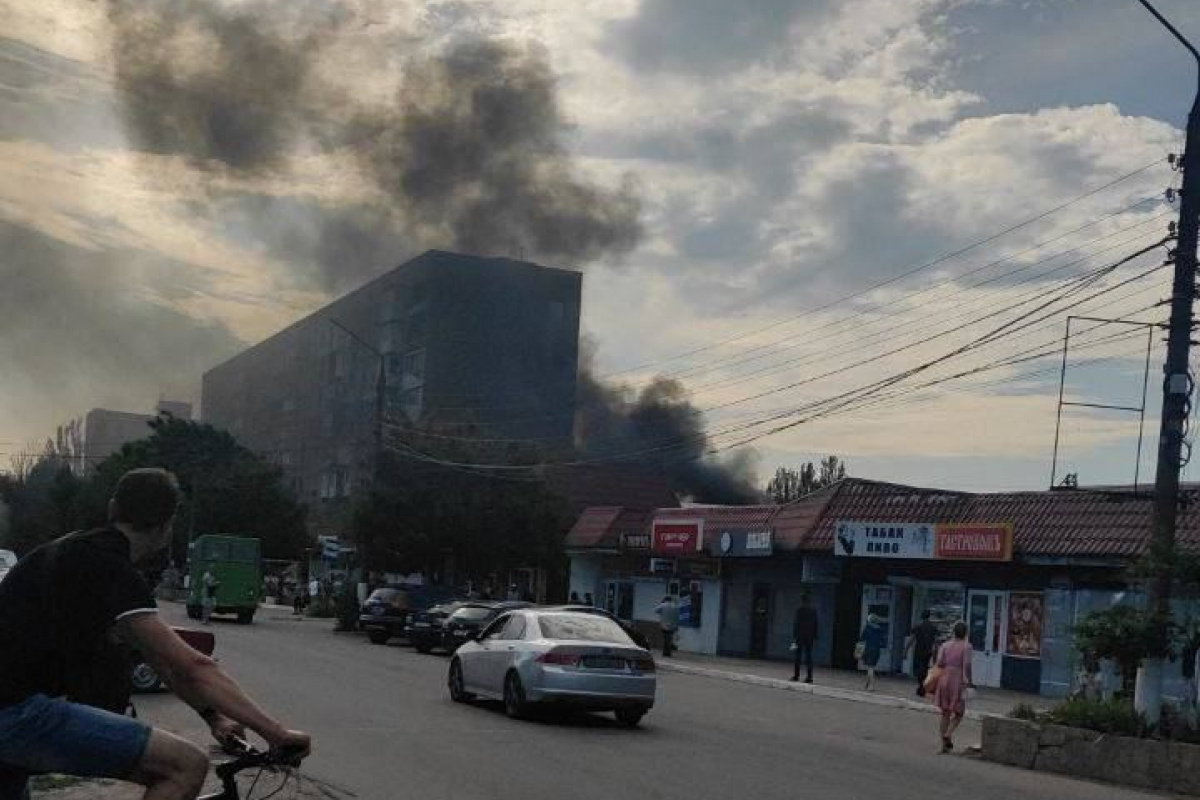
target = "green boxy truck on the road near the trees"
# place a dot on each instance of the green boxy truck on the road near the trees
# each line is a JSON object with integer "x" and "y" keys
{"x": 237, "y": 563}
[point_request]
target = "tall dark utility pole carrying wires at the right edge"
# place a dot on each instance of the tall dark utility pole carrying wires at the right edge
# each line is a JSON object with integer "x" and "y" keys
{"x": 1177, "y": 394}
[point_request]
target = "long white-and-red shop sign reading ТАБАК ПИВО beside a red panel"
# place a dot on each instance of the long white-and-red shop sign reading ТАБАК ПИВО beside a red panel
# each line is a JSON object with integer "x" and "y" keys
{"x": 950, "y": 543}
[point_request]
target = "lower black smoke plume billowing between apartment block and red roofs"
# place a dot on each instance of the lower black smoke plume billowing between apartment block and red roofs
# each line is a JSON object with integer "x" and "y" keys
{"x": 659, "y": 429}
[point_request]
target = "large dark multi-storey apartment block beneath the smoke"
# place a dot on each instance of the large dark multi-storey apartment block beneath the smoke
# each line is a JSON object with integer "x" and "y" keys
{"x": 489, "y": 341}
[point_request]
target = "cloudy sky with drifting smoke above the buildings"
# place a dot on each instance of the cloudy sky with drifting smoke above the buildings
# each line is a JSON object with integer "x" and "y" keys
{"x": 778, "y": 204}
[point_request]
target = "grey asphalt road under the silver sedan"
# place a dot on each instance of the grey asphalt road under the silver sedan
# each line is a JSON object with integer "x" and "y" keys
{"x": 386, "y": 729}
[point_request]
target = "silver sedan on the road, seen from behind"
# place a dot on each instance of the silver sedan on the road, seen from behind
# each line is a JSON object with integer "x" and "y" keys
{"x": 532, "y": 657}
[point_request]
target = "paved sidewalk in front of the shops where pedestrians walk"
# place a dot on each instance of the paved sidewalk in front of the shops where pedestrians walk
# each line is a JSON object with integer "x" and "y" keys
{"x": 842, "y": 684}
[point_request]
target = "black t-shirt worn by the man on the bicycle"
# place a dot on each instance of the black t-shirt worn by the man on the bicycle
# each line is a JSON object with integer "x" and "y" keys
{"x": 57, "y": 612}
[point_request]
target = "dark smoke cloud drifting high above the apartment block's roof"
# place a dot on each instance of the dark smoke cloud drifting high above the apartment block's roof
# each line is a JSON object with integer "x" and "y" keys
{"x": 470, "y": 157}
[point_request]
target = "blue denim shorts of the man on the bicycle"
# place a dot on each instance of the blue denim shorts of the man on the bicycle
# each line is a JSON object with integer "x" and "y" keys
{"x": 44, "y": 735}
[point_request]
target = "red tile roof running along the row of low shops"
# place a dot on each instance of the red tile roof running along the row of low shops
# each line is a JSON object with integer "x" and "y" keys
{"x": 1063, "y": 524}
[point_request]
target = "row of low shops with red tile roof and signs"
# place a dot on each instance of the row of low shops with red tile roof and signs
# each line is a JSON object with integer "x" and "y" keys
{"x": 1018, "y": 568}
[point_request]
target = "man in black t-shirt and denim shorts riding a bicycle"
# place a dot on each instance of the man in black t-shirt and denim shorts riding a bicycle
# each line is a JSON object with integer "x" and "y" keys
{"x": 64, "y": 611}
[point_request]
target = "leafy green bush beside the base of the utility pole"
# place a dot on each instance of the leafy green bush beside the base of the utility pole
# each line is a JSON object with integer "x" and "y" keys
{"x": 1127, "y": 636}
